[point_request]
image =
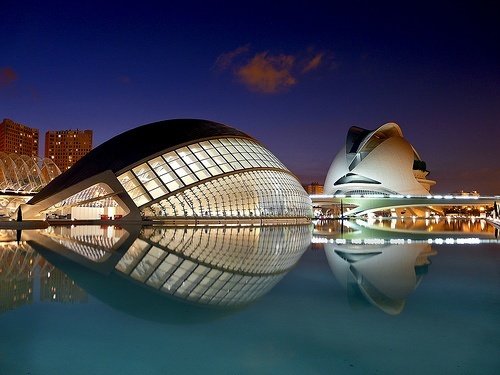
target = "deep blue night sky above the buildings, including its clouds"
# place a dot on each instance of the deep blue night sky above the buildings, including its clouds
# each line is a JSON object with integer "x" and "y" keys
{"x": 294, "y": 75}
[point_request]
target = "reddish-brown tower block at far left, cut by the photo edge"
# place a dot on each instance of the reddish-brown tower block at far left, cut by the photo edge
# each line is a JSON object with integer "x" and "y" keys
{"x": 18, "y": 139}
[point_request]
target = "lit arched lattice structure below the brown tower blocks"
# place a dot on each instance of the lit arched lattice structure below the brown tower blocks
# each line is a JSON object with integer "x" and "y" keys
{"x": 24, "y": 173}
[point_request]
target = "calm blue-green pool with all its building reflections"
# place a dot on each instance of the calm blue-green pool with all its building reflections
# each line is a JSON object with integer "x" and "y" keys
{"x": 363, "y": 298}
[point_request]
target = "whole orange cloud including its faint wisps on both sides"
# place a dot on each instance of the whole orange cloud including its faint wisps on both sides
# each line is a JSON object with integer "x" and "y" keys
{"x": 268, "y": 73}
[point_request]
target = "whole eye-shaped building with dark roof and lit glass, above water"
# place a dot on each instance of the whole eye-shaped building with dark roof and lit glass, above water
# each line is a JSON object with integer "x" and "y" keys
{"x": 175, "y": 168}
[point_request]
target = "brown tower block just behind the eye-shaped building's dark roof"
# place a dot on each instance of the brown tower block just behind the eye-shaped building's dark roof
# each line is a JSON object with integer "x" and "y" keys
{"x": 66, "y": 147}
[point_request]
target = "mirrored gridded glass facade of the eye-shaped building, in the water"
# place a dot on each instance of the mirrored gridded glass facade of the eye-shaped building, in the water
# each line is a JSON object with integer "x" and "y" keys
{"x": 215, "y": 266}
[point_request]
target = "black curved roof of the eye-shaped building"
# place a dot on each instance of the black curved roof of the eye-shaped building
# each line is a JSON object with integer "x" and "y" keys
{"x": 134, "y": 145}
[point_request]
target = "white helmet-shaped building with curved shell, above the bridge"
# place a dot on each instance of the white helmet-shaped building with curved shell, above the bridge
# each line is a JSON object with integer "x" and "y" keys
{"x": 377, "y": 162}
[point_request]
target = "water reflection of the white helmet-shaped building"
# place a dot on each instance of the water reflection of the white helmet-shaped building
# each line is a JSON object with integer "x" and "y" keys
{"x": 382, "y": 275}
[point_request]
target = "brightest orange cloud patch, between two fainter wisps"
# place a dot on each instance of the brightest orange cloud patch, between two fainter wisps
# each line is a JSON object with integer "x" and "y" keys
{"x": 268, "y": 74}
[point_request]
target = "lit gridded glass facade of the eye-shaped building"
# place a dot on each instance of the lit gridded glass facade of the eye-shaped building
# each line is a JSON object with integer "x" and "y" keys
{"x": 228, "y": 177}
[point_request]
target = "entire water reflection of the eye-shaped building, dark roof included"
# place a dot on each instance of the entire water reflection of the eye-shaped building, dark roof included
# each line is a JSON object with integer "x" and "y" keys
{"x": 148, "y": 271}
